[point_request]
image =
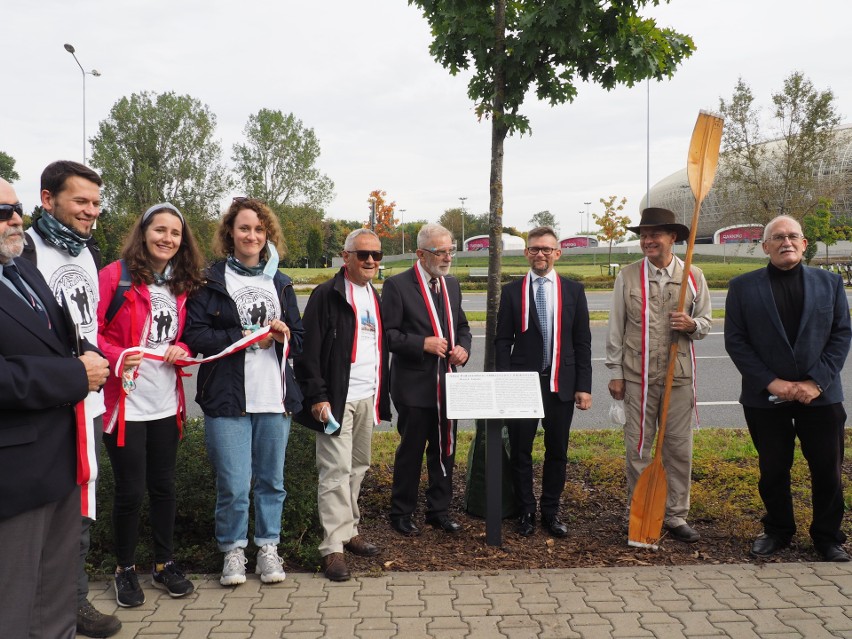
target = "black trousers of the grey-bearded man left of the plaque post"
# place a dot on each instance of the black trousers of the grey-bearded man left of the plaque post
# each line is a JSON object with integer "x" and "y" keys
{"x": 418, "y": 429}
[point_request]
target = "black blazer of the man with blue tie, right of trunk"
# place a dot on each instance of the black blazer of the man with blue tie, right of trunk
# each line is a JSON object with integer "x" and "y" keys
{"x": 517, "y": 351}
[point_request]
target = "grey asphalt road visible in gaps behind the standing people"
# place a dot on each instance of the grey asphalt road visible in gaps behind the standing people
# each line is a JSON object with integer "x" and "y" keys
{"x": 718, "y": 381}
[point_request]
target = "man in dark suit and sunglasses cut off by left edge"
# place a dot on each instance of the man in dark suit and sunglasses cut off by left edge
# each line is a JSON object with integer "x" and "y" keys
{"x": 42, "y": 380}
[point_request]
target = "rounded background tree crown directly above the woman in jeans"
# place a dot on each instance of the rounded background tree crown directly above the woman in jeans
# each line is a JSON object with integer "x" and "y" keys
{"x": 277, "y": 163}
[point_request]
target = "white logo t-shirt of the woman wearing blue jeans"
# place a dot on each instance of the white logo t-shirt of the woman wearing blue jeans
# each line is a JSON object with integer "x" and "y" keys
{"x": 257, "y": 304}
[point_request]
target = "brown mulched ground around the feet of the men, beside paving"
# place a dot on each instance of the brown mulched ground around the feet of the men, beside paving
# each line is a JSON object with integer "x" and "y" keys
{"x": 597, "y": 538}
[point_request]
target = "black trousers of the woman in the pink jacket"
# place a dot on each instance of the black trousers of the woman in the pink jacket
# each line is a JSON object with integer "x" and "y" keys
{"x": 147, "y": 460}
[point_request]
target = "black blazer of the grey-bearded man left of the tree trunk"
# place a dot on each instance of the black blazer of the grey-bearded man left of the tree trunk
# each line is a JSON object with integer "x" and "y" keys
{"x": 413, "y": 372}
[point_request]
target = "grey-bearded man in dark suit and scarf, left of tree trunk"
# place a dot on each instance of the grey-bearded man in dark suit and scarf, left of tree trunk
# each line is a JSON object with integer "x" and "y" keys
{"x": 429, "y": 336}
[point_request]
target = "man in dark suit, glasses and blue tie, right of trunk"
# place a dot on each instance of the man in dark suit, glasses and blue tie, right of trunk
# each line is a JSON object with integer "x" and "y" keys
{"x": 543, "y": 326}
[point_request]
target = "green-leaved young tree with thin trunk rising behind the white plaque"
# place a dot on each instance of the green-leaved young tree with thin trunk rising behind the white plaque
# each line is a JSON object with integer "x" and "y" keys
{"x": 547, "y": 46}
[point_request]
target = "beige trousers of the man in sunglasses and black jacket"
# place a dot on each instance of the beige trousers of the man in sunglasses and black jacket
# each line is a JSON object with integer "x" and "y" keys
{"x": 342, "y": 462}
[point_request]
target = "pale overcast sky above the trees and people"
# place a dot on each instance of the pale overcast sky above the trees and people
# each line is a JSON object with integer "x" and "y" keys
{"x": 386, "y": 114}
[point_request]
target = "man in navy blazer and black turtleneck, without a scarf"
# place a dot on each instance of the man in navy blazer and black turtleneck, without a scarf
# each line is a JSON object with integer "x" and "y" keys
{"x": 787, "y": 331}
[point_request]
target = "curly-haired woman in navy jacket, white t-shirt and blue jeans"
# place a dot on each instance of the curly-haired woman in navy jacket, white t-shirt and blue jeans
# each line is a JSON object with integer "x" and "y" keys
{"x": 247, "y": 397}
